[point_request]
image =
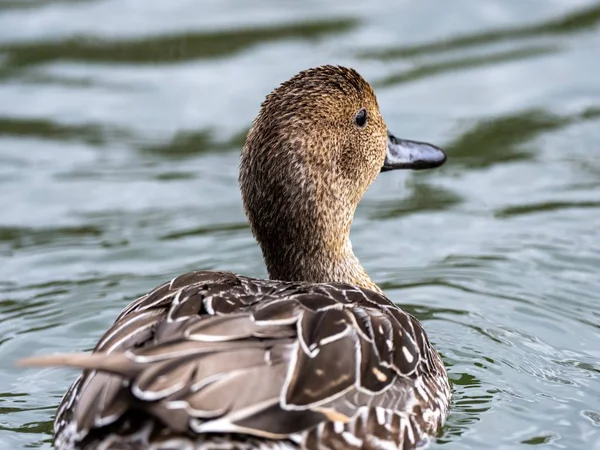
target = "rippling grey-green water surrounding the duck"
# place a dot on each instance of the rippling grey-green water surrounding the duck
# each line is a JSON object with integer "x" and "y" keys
{"x": 120, "y": 128}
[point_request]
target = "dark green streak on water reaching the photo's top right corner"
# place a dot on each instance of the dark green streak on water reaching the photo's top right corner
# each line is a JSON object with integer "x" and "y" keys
{"x": 576, "y": 22}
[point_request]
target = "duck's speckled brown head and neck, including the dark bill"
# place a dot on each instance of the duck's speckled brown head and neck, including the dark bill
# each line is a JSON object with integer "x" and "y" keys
{"x": 316, "y": 145}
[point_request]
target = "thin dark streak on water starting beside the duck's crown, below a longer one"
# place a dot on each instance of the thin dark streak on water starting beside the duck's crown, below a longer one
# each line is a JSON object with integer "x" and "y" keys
{"x": 463, "y": 63}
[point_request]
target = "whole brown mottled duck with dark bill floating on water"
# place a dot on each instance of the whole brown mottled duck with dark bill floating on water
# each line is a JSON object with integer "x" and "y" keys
{"x": 314, "y": 357}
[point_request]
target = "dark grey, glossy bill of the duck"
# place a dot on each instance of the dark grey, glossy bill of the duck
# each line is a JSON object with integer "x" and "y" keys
{"x": 404, "y": 154}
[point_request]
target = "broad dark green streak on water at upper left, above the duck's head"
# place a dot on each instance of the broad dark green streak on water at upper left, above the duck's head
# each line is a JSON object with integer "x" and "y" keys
{"x": 167, "y": 49}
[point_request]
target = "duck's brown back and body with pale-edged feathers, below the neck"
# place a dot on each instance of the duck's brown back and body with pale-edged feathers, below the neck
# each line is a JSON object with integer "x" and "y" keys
{"x": 213, "y": 353}
